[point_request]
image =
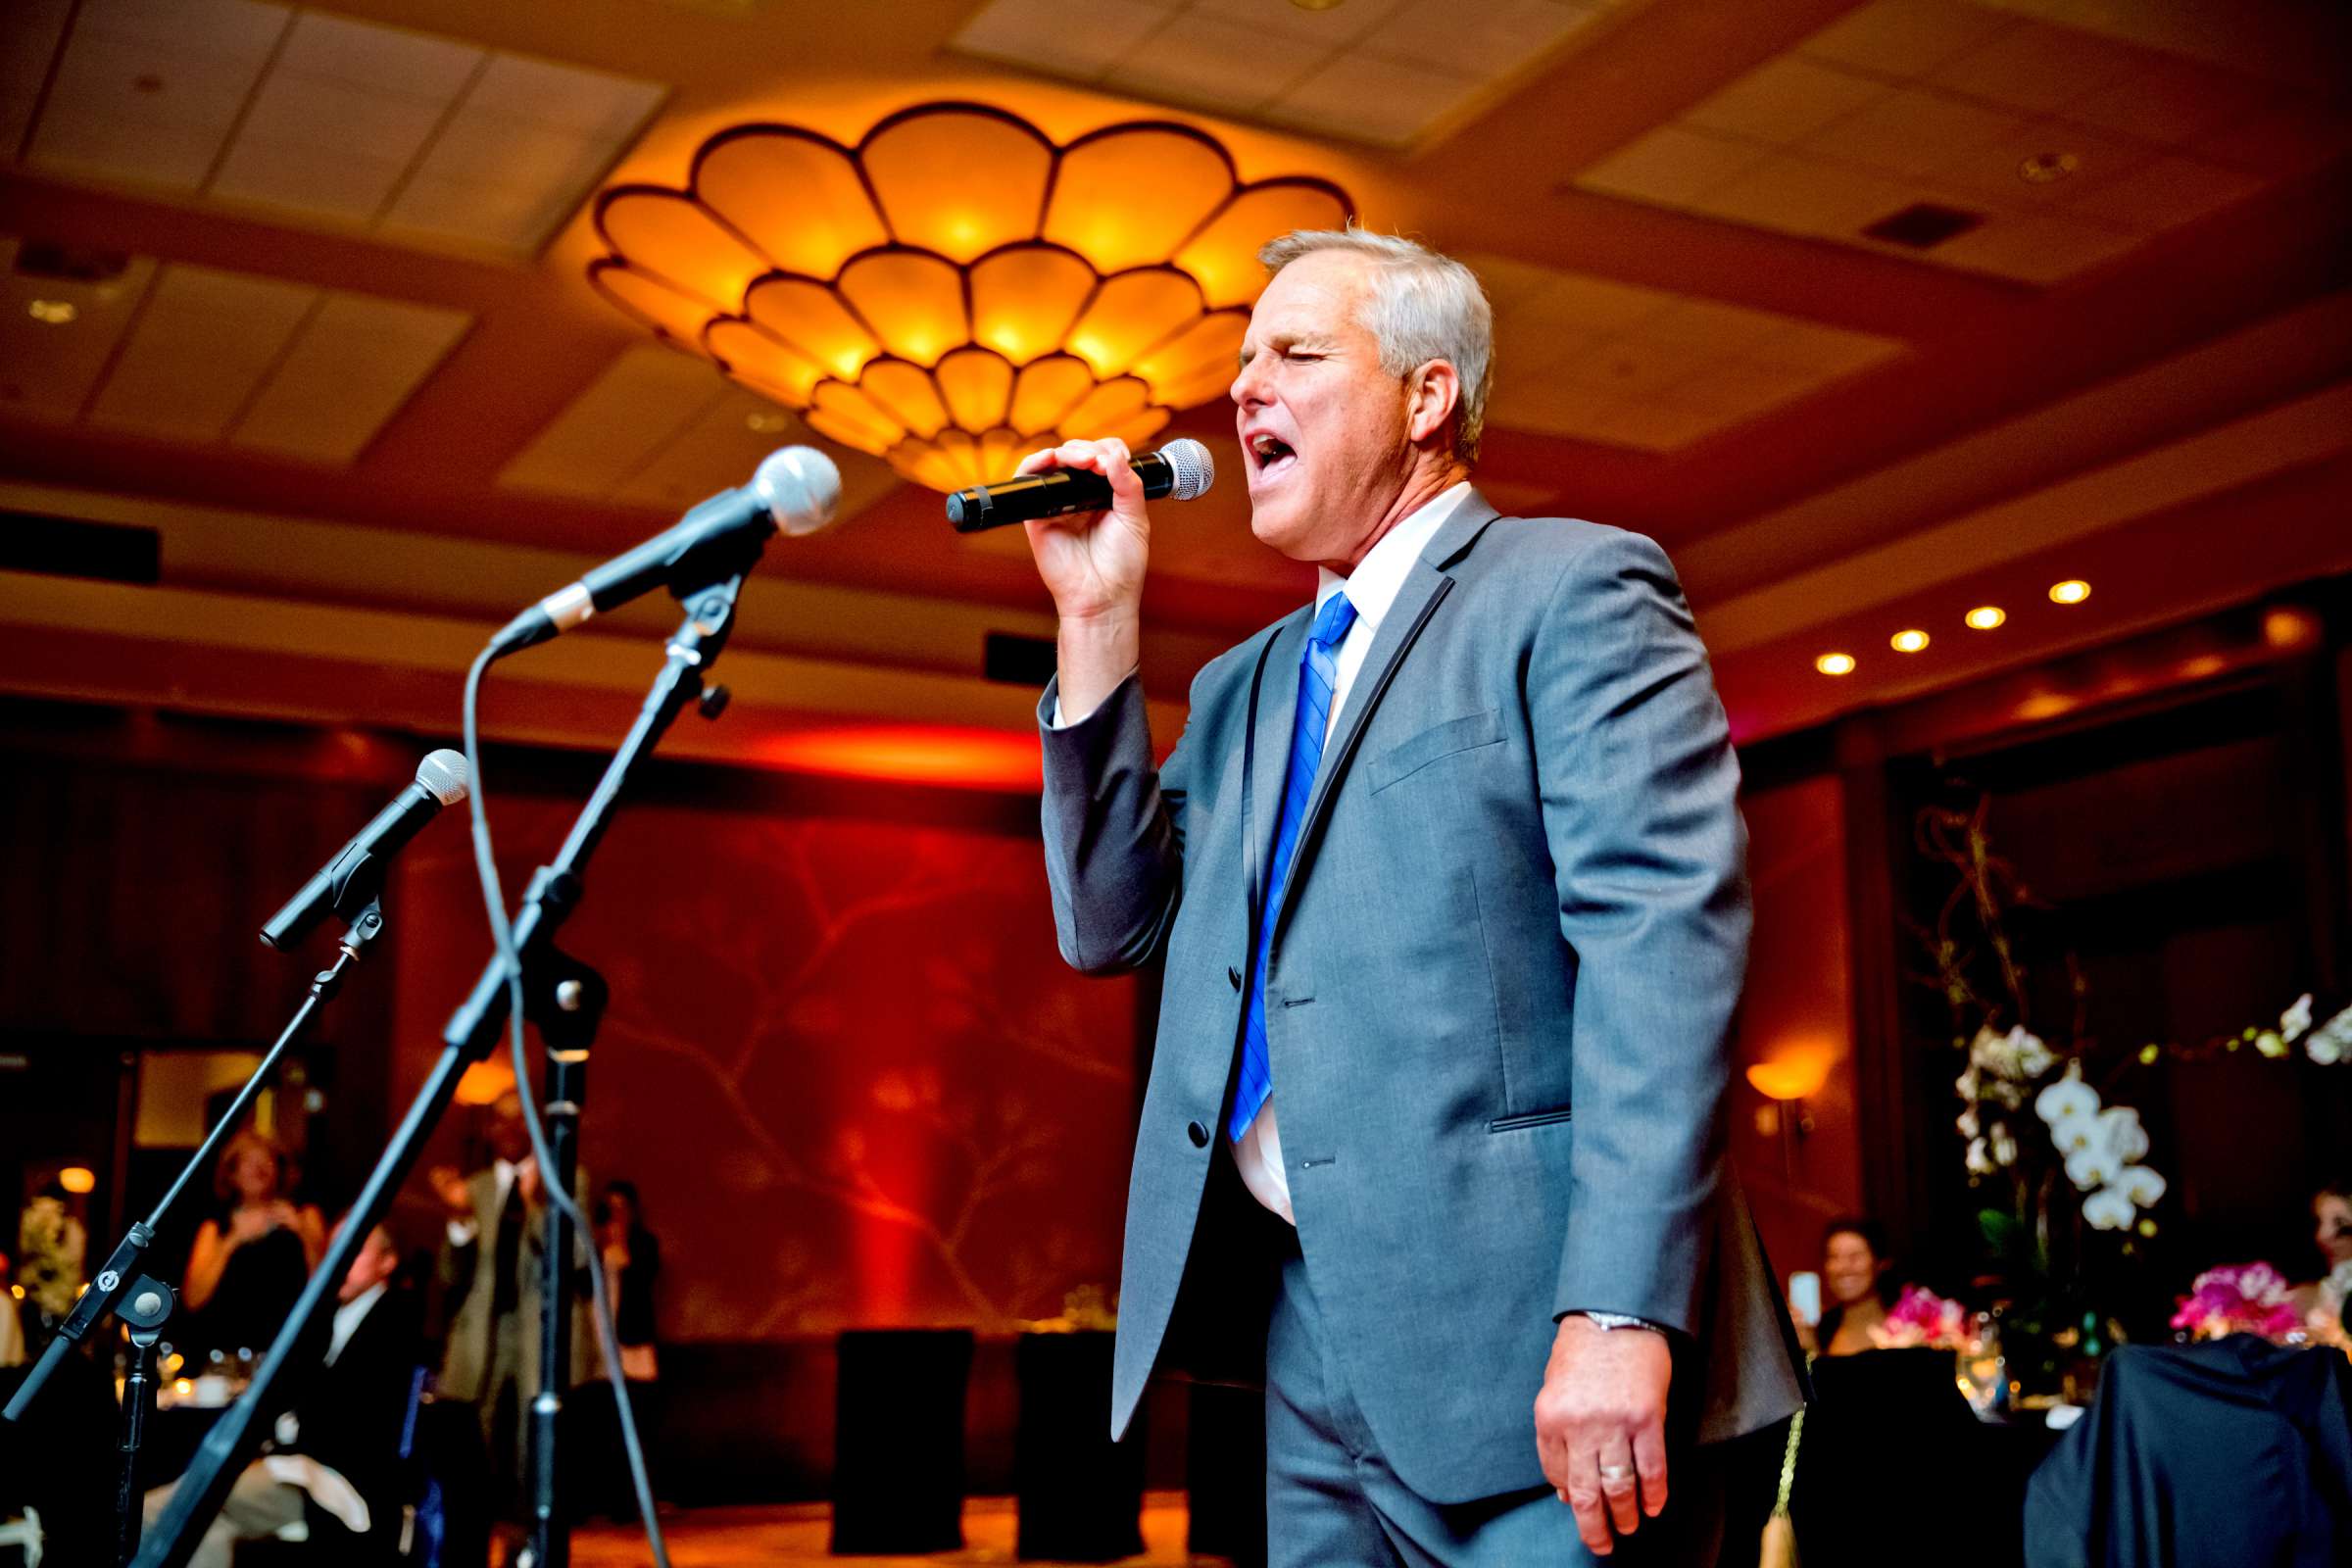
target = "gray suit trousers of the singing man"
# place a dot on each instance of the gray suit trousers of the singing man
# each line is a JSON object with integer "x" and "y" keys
{"x": 1332, "y": 1499}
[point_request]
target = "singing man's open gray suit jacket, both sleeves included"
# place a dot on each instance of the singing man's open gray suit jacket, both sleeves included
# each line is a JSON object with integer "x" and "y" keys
{"x": 1518, "y": 897}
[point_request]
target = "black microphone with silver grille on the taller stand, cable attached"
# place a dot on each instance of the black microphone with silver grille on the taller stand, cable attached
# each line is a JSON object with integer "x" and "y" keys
{"x": 794, "y": 490}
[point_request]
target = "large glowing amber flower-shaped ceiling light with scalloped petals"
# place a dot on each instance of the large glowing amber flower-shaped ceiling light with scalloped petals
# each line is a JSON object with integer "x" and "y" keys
{"x": 956, "y": 288}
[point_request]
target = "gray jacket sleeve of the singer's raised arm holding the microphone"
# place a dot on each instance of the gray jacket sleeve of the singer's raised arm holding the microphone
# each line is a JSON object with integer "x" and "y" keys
{"x": 1114, "y": 833}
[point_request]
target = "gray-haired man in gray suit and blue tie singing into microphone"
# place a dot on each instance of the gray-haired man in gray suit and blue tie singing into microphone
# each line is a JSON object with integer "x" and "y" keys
{"x": 1443, "y": 859}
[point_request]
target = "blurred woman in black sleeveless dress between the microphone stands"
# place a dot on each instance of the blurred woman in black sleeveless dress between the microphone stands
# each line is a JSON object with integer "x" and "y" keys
{"x": 250, "y": 1261}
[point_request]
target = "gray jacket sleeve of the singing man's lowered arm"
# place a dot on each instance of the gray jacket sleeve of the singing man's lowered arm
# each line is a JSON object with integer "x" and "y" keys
{"x": 1650, "y": 859}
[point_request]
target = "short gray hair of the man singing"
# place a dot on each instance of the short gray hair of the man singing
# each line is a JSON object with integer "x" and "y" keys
{"x": 1422, "y": 307}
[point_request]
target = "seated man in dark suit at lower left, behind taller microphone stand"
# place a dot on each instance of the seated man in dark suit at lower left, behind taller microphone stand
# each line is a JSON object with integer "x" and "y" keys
{"x": 340, "y": 1447}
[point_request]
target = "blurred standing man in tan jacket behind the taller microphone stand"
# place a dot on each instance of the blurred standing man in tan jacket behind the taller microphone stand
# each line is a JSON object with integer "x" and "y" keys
{"x": 490, "y": 1271}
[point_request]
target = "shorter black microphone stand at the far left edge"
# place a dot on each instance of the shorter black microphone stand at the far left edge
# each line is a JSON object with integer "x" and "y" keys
{"x": 152, "y": 1299}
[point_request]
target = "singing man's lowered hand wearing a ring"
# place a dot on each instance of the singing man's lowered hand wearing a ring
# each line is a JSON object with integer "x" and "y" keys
{"x": 1601, "y": 1426}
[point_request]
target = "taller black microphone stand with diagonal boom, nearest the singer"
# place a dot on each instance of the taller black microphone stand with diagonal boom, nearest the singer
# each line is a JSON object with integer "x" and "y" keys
{"x": 566, "y": 1000}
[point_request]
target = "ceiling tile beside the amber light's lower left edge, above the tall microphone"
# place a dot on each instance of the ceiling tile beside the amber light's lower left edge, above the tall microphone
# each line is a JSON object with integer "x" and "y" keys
{"x": 617, "y": 422}
